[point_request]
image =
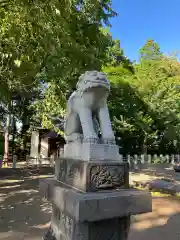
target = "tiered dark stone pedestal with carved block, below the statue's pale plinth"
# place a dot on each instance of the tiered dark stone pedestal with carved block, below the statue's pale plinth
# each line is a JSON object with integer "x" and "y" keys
{"x": 91, "y": 200}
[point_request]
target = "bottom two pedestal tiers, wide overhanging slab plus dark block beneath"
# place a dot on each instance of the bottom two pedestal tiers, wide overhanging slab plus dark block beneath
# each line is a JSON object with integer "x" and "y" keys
{"x": 94, "y": 216}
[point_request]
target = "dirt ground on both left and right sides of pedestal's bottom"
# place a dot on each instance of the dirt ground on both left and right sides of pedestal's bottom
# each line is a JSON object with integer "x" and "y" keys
{"x": 25, "y": 216}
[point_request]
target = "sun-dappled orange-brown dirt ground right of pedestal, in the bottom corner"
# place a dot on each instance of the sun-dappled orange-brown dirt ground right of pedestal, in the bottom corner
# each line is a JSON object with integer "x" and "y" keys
{"x": 162, "y": 223}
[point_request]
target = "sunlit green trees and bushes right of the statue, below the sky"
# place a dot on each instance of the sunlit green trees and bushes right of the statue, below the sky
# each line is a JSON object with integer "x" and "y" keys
{"x": 144, "y": 105}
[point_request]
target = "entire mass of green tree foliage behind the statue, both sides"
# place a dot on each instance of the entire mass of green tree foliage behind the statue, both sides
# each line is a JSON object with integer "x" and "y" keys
{"x": 46, "y": 45}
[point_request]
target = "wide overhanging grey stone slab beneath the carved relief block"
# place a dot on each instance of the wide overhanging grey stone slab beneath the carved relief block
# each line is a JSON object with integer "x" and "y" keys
{"x": 102, "y": 205}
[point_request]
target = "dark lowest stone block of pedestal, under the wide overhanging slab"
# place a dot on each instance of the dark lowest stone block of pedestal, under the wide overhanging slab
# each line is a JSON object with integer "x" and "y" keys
{"x": 65, "y": 227}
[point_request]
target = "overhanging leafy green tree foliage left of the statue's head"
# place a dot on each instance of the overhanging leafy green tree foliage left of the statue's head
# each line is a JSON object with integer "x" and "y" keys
{"x": 54, "y": 41}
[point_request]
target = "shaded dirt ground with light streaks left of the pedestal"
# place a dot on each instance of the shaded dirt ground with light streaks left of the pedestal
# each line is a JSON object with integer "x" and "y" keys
{"x": 23, "y": 213}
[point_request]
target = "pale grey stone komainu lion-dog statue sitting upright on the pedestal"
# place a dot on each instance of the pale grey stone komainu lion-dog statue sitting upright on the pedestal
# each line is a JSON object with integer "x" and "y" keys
{"x": 87, "y": 111}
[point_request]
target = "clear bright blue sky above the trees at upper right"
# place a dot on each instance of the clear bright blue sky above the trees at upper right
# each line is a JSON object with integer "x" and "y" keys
{"x": 139, "y": 20}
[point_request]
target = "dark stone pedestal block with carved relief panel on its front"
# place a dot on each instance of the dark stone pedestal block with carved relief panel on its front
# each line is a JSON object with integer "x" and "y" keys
{"x": 89, "y": 176}
